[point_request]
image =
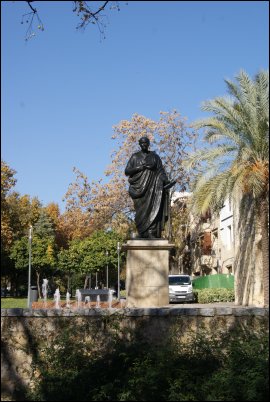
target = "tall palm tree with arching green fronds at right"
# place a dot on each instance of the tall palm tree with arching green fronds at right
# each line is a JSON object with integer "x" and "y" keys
{"x": 237, "y": 155}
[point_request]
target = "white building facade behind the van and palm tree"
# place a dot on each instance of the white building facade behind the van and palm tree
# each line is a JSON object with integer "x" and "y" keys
{"x": 210, "y": 243}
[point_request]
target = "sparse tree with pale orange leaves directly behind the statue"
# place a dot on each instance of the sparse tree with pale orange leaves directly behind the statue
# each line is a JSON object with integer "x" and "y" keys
{"x": 105, "y": 205}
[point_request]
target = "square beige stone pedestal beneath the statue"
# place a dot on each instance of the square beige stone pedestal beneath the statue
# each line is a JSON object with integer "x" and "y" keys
{"x": 147, "y": 272}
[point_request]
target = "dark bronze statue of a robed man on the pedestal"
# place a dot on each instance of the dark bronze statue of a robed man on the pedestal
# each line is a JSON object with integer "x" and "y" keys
{"x": 148, "y": 188}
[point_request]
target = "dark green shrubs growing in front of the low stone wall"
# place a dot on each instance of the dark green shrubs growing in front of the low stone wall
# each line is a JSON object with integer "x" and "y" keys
{"x": 231, "y": 367}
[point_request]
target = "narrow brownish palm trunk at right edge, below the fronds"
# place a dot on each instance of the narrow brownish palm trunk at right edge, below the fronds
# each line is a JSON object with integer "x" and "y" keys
{"x": 265, "y": 248}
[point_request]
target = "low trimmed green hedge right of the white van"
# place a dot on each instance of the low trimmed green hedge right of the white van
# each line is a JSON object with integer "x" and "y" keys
{"x": 213, "y": 295}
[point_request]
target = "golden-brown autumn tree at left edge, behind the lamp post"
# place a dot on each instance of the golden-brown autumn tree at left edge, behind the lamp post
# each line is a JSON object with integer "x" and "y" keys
{"x": 18, "y": 212}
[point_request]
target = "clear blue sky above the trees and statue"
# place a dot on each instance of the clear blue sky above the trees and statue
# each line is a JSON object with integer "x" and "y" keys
{"x": 63, "y": 90}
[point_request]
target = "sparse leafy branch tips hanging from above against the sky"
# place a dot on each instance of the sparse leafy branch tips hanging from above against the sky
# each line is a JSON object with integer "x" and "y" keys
{"x": 93, "y": 14}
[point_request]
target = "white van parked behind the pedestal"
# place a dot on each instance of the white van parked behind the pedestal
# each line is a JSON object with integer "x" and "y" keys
{"x": 180, "y": 288}
